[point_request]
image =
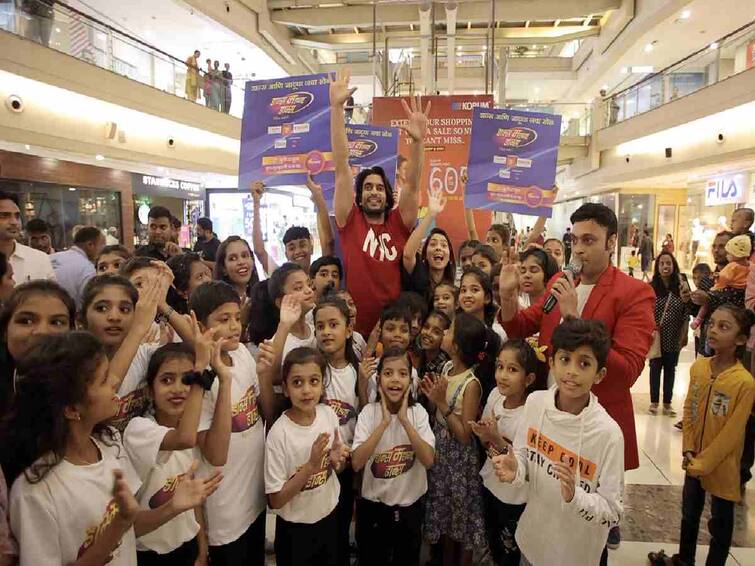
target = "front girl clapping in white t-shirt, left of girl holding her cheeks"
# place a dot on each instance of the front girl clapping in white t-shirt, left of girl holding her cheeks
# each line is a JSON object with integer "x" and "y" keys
{"x": 302, "y": 452}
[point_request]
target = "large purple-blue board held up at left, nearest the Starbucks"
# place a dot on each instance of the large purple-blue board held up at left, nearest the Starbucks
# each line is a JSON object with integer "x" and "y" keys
{"x": 285, "y": 130}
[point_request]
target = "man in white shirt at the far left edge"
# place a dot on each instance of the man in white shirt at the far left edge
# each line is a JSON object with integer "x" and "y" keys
{"x": 28, "y": 263}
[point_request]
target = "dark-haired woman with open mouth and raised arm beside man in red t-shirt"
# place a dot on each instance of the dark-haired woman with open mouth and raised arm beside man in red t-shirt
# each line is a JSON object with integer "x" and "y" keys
{"x": 422, "y": 272}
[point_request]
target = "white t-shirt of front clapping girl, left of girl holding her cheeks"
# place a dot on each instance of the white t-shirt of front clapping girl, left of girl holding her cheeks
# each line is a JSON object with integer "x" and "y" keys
{"x": 288, "y": 448}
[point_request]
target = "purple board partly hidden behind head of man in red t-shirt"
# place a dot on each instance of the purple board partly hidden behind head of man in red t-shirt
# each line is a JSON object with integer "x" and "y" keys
{"x": 369, "y": 146}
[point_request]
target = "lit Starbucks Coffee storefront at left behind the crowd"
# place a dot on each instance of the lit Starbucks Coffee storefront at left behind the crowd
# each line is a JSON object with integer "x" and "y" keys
{"x": 184, "y": 199}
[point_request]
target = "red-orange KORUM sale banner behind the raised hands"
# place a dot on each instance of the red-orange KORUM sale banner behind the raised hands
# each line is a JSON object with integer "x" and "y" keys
{"x": 446, "y": 151}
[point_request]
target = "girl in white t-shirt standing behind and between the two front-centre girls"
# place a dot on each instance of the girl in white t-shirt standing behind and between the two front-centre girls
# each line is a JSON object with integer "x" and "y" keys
{"x": 335, "y": 341}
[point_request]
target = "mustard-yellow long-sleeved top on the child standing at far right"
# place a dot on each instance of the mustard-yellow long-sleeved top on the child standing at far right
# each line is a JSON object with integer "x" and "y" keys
{"x": 716, "y": 411}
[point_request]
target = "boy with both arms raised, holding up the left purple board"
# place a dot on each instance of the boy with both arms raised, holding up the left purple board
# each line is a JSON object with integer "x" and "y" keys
{"x": 297, "y": 240}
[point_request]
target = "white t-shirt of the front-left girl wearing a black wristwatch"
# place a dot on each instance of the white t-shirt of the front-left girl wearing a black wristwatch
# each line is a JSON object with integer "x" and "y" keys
{"x": 160, "y": 472}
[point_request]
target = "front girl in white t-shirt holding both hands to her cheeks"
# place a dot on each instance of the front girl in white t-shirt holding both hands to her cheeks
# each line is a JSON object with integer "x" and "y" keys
{"x": 394, "y": 443}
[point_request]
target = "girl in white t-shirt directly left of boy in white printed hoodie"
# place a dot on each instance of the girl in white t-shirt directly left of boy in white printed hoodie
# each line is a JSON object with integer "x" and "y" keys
{"x": 520, "y": 370}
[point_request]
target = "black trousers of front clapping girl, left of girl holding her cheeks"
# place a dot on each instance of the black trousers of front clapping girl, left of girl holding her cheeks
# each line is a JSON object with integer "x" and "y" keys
{"x": 301, "y": 544}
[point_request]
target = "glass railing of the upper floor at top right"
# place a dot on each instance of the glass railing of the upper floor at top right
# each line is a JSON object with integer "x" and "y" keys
{"x": 730, "y": 55}
